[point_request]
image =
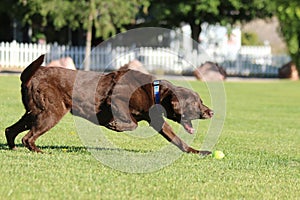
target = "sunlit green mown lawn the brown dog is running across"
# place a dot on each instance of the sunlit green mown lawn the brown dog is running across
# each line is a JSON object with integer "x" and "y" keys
{"x": 261, "y": 140}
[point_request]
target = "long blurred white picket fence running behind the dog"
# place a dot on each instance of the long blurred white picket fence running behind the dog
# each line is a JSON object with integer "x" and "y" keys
{"x": 250, "y": 61}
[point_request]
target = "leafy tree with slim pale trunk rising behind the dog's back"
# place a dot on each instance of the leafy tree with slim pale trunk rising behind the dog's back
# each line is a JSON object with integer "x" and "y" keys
{"x": 107, "y": 16}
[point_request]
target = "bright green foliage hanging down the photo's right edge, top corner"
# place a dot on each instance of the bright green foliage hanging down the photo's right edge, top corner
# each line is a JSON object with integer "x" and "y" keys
{"x": 289, "y": 17}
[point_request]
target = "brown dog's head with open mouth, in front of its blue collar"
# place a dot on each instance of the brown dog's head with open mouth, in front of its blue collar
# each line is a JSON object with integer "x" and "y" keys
{"x": 186, "y": 105}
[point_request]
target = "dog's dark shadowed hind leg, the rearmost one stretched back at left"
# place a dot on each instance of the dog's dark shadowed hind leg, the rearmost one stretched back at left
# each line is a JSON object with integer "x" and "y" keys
{"x": 22, "y": 125}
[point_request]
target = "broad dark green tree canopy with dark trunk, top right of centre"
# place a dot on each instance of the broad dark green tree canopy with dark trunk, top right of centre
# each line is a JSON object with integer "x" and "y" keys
{"x": 170, "y": 13}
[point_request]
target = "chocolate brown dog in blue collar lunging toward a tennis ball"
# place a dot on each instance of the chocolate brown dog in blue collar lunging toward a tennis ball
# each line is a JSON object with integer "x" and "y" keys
{"x": 117, "y": 100}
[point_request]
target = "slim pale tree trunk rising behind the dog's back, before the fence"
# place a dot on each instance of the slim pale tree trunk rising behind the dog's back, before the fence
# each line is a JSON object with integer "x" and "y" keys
{"x": 88, "y": 42}
